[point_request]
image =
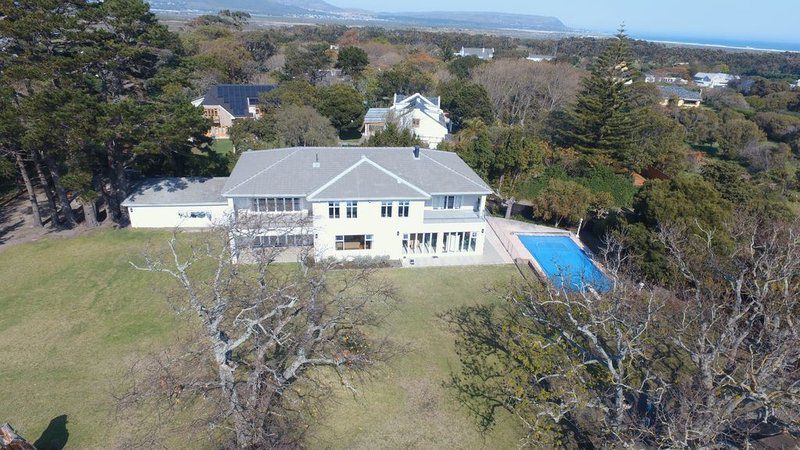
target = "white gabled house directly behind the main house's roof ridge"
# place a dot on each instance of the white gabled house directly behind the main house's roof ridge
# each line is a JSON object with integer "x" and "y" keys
{"x": 422, "y": 115}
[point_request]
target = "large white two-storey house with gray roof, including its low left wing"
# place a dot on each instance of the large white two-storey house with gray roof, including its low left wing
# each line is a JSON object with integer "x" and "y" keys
{"x": 362, "y": 202}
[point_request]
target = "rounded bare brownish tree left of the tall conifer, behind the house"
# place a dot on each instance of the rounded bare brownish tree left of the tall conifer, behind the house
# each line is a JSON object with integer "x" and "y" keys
{"x": 523, "y": 91}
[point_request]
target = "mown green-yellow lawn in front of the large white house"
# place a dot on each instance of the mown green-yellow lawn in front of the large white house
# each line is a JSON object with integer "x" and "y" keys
{"x": 75, "y": 315}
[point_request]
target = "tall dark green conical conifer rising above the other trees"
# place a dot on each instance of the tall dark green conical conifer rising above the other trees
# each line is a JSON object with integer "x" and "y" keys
{"x": 603, "y": 120}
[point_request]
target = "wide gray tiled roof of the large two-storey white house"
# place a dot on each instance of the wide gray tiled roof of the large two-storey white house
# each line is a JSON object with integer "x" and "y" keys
{"x": 291, "y": 172}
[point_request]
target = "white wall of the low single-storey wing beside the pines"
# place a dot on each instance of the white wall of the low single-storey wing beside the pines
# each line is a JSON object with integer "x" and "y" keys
{"x": 171, "y": 216}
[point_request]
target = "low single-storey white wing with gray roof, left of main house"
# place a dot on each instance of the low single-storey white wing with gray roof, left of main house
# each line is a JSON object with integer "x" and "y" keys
{"x": 177, "y": 202}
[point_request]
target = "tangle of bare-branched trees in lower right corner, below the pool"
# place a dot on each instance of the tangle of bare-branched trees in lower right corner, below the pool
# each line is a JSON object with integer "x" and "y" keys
{"x": 713, "y": 362}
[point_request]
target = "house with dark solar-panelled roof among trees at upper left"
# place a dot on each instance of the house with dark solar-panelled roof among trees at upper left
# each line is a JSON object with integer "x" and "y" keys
{"x": 224, "y": 103}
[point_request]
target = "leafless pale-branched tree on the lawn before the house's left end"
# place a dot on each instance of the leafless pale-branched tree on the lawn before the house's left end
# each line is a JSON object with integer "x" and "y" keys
{"x": 267, "y": 333}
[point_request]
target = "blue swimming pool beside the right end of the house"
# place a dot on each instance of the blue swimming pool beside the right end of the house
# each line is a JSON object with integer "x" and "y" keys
{"x": 563, "y": 261}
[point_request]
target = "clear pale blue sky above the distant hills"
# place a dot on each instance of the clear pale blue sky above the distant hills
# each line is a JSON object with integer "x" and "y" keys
{"x": 767, "y": 20}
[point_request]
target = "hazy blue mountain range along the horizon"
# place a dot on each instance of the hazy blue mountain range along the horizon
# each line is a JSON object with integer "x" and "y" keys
{"x": 321, "y": 10}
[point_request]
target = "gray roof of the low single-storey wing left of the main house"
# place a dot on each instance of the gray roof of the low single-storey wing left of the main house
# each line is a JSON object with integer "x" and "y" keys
{"x": 178, "y": 191}
